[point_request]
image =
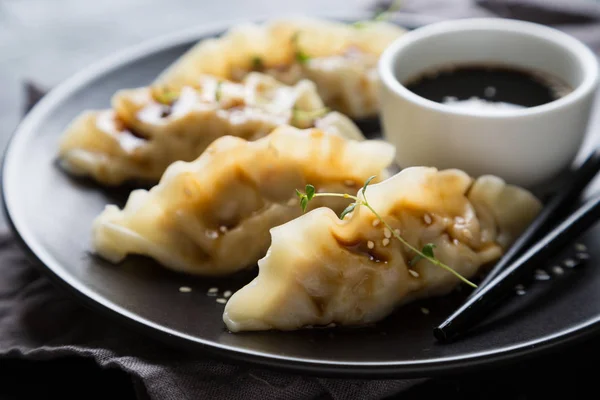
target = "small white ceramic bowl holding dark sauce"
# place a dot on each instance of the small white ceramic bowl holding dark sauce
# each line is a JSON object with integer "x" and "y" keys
{"x": 523, "y": 146}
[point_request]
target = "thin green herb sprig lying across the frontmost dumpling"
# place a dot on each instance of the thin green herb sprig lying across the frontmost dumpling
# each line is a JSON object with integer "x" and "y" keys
{"x": 427, "y": 252}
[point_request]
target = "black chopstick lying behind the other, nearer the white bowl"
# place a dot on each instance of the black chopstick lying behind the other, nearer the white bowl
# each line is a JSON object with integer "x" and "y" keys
{"x": 576, "y": 183}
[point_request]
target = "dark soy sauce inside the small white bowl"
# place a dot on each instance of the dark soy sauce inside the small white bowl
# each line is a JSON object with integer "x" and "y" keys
{"x": 489, "y": 86}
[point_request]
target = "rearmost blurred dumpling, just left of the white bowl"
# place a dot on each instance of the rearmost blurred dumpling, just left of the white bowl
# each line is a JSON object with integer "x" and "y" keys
{"x": 340, "y": 58}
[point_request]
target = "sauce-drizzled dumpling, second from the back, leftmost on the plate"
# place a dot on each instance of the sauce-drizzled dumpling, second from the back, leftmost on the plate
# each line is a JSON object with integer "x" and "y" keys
{"x": 149, "y": 128}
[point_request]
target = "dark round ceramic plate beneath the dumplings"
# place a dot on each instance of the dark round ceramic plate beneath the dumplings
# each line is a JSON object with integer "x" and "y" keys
{"x": 52, "y": 214}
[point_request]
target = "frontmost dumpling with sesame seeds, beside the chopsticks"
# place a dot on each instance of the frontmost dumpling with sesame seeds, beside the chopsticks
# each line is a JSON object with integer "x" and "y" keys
{"x": 321, "y": 270}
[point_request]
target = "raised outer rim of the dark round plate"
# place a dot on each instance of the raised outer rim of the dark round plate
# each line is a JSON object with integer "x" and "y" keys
{"x": 372, "y": 369}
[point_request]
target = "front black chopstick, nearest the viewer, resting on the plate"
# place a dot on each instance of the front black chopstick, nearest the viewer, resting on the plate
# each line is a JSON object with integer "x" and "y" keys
{"x": 479, "y": 306}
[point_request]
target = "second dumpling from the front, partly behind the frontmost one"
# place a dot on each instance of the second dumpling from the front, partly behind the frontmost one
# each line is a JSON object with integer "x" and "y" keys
{"x": 212, "y": 216}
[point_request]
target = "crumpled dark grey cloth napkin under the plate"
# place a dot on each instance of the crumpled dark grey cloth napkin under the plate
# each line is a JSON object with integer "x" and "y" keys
{"x": 41, "y": 323}
